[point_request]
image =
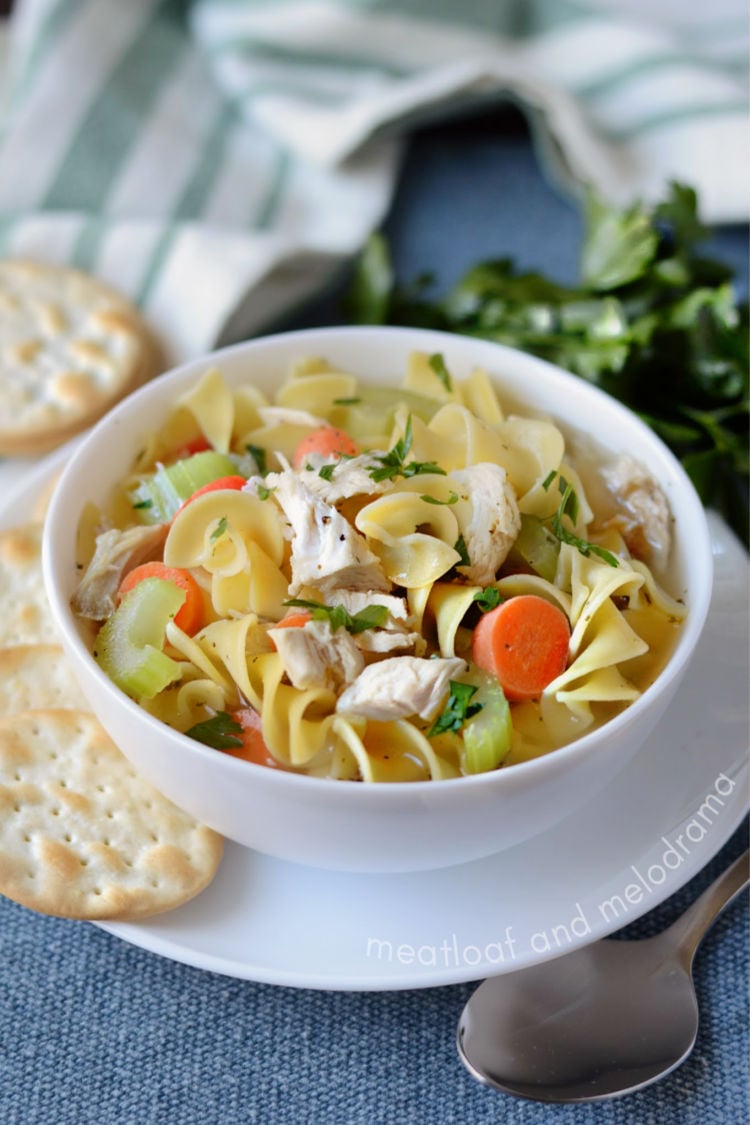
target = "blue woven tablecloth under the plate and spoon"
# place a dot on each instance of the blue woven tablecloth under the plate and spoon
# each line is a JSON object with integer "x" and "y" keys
{"x": 95, "y": 1031}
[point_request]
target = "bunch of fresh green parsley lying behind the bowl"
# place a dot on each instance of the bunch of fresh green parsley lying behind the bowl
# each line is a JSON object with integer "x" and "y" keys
{"x": 652, "y": 321}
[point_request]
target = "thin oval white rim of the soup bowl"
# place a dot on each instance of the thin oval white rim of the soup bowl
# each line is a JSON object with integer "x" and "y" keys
{"x": 411, "y": 340}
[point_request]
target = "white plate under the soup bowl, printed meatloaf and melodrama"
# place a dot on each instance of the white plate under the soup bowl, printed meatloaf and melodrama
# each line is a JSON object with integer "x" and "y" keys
{"x": 662, "y": 821}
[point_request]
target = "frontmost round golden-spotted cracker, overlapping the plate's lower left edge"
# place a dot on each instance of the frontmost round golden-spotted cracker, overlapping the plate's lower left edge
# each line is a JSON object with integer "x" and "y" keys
{"x": 83, "y": 835}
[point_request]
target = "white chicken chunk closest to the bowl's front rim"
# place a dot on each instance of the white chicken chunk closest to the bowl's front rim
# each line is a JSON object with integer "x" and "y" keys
{"x": 400, "y": 687}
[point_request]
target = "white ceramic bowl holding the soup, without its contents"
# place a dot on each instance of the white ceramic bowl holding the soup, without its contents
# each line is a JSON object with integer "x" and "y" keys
{"x": 387, "y": 827}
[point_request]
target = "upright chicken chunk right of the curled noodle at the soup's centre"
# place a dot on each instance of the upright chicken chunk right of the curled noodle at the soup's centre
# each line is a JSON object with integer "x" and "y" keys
{"x": 489, "y": 516}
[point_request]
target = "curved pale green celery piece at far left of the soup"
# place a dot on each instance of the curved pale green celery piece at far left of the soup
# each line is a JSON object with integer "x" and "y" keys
{"x": 130, "y": 644}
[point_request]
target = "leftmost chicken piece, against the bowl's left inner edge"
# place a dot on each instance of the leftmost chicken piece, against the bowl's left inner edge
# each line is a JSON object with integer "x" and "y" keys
{"x": 116, "y": 554}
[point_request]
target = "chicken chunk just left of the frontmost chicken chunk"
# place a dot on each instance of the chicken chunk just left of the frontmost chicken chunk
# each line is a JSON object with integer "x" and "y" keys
{"x": 314, "y": 656}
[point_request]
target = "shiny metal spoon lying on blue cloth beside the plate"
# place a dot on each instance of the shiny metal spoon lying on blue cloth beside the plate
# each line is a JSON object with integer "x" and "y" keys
{"x": 602, "y": 1022}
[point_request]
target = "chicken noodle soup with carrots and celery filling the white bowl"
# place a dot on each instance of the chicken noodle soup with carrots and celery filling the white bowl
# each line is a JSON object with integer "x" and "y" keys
{"x": 377, "y": 583}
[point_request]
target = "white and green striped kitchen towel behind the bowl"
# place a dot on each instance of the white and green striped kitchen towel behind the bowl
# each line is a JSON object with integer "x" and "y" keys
{"x": 218, "y": 159}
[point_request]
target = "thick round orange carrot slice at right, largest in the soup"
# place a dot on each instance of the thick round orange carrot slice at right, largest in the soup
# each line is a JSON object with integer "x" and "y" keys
{"x": 525, "y": 643}
